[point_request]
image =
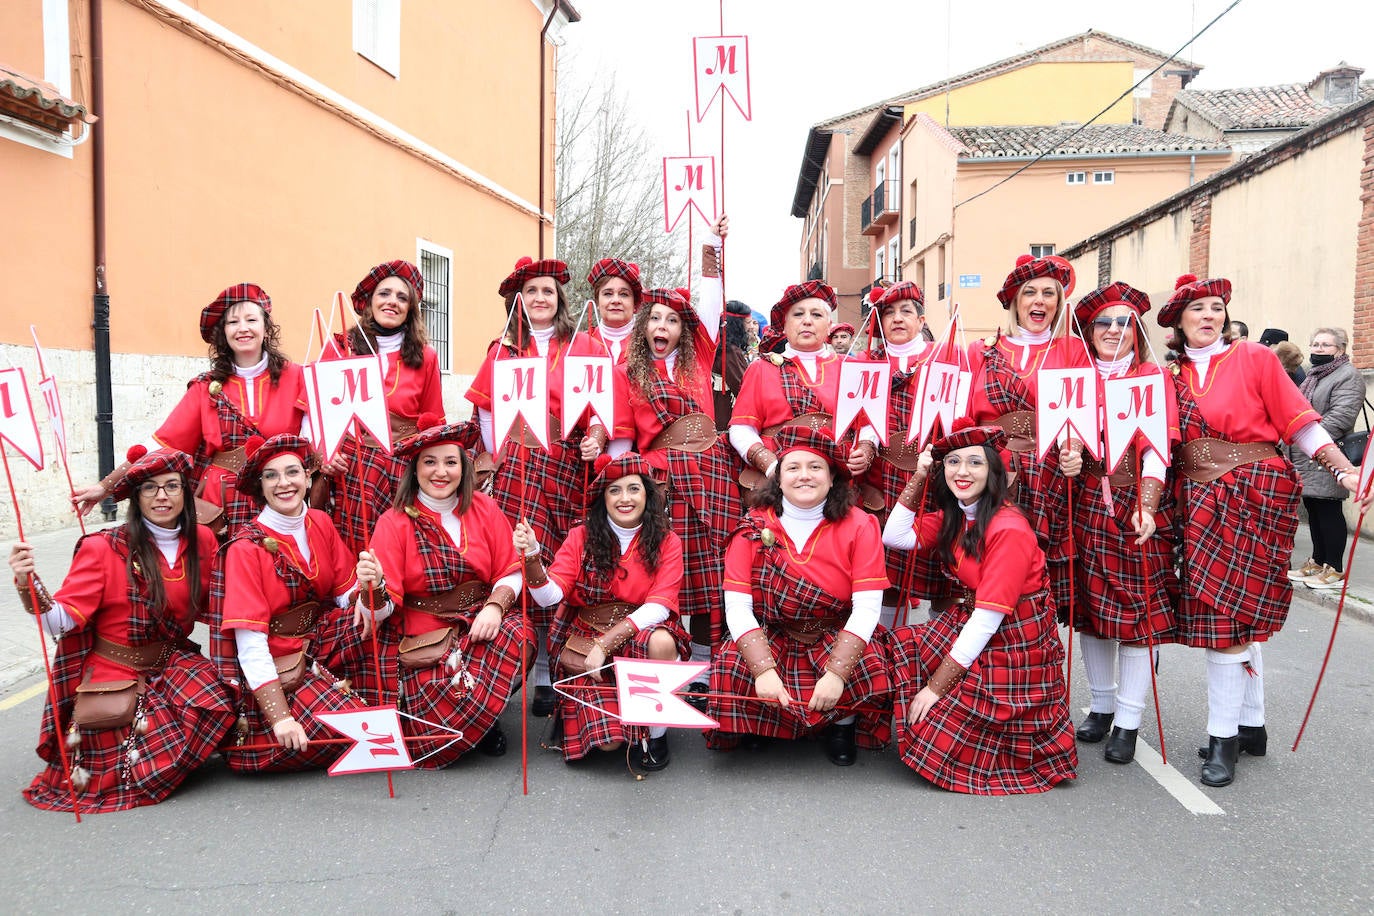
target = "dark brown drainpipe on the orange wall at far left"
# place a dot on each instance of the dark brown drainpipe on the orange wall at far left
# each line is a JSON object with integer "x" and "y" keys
{"x": 101, "y": 307}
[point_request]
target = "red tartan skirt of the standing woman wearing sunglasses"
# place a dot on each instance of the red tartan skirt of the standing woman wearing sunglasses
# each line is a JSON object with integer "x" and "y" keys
{"x": 1125, "y": 593}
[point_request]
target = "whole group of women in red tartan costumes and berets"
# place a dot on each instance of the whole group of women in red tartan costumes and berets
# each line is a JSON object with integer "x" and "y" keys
{"x": 774, "y": 550}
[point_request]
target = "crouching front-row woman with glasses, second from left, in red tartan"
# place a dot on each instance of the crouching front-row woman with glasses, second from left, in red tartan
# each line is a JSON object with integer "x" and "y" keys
{"x": 282, "y": 617}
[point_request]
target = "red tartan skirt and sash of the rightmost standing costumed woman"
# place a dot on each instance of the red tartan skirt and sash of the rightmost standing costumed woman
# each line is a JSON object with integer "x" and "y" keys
{"x": 1237, "y": 534}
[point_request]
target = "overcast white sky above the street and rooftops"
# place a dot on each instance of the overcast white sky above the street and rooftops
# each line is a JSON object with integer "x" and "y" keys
{"x": 813, "y": 60}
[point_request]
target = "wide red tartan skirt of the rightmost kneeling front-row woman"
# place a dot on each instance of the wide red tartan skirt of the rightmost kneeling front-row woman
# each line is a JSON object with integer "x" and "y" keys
{"x": 1005, "y": 730}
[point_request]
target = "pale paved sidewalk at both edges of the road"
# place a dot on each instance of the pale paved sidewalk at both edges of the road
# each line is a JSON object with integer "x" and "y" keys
{"x": 21, "y": 654}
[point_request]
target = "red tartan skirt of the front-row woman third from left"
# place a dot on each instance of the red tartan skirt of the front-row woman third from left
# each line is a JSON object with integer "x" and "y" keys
{"x": 431, "y": 694}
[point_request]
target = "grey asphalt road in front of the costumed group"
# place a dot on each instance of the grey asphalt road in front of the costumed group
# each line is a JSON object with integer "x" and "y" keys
{"x": 778, "y": 832}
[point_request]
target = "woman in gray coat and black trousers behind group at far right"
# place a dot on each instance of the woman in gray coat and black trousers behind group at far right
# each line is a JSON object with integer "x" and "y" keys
{"x": 1336, "y": 391}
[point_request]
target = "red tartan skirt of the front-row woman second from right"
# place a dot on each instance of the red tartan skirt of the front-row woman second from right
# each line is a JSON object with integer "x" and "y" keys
{"x": 866, "y": 694}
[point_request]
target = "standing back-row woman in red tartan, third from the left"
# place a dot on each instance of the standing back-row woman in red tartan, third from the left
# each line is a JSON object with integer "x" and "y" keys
{"x": 543, "y": 487}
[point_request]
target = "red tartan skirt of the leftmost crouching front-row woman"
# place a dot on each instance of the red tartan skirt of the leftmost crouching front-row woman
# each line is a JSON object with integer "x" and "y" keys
{"x": 188, "y": 711}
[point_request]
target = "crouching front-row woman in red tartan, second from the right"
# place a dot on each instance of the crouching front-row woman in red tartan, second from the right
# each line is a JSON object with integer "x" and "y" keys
{"x": 804, "y": 579}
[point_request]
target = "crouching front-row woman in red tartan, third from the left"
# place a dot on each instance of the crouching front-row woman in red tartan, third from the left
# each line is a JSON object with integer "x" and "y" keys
{"x": 442, "y": 558}
